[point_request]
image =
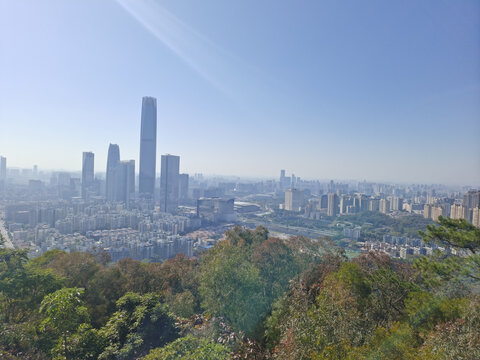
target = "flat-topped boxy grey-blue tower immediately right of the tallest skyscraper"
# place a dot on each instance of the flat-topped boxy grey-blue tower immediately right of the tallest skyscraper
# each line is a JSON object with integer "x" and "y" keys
{"x": 169, "y": 183}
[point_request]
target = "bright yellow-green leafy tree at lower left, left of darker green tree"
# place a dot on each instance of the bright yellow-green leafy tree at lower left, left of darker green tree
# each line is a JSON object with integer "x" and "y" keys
{"x": 64, "y": 314}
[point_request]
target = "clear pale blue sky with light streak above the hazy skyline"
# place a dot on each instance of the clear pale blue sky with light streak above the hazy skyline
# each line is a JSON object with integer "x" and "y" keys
{"x": 344, "y": 89}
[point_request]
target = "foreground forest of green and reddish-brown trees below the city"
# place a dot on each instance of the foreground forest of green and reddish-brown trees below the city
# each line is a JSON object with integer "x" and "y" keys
{"x": 251, "y": 296}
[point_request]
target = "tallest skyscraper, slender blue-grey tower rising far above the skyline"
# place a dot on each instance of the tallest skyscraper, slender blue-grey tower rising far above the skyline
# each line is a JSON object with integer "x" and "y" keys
{"x": 148, "y": 146}
